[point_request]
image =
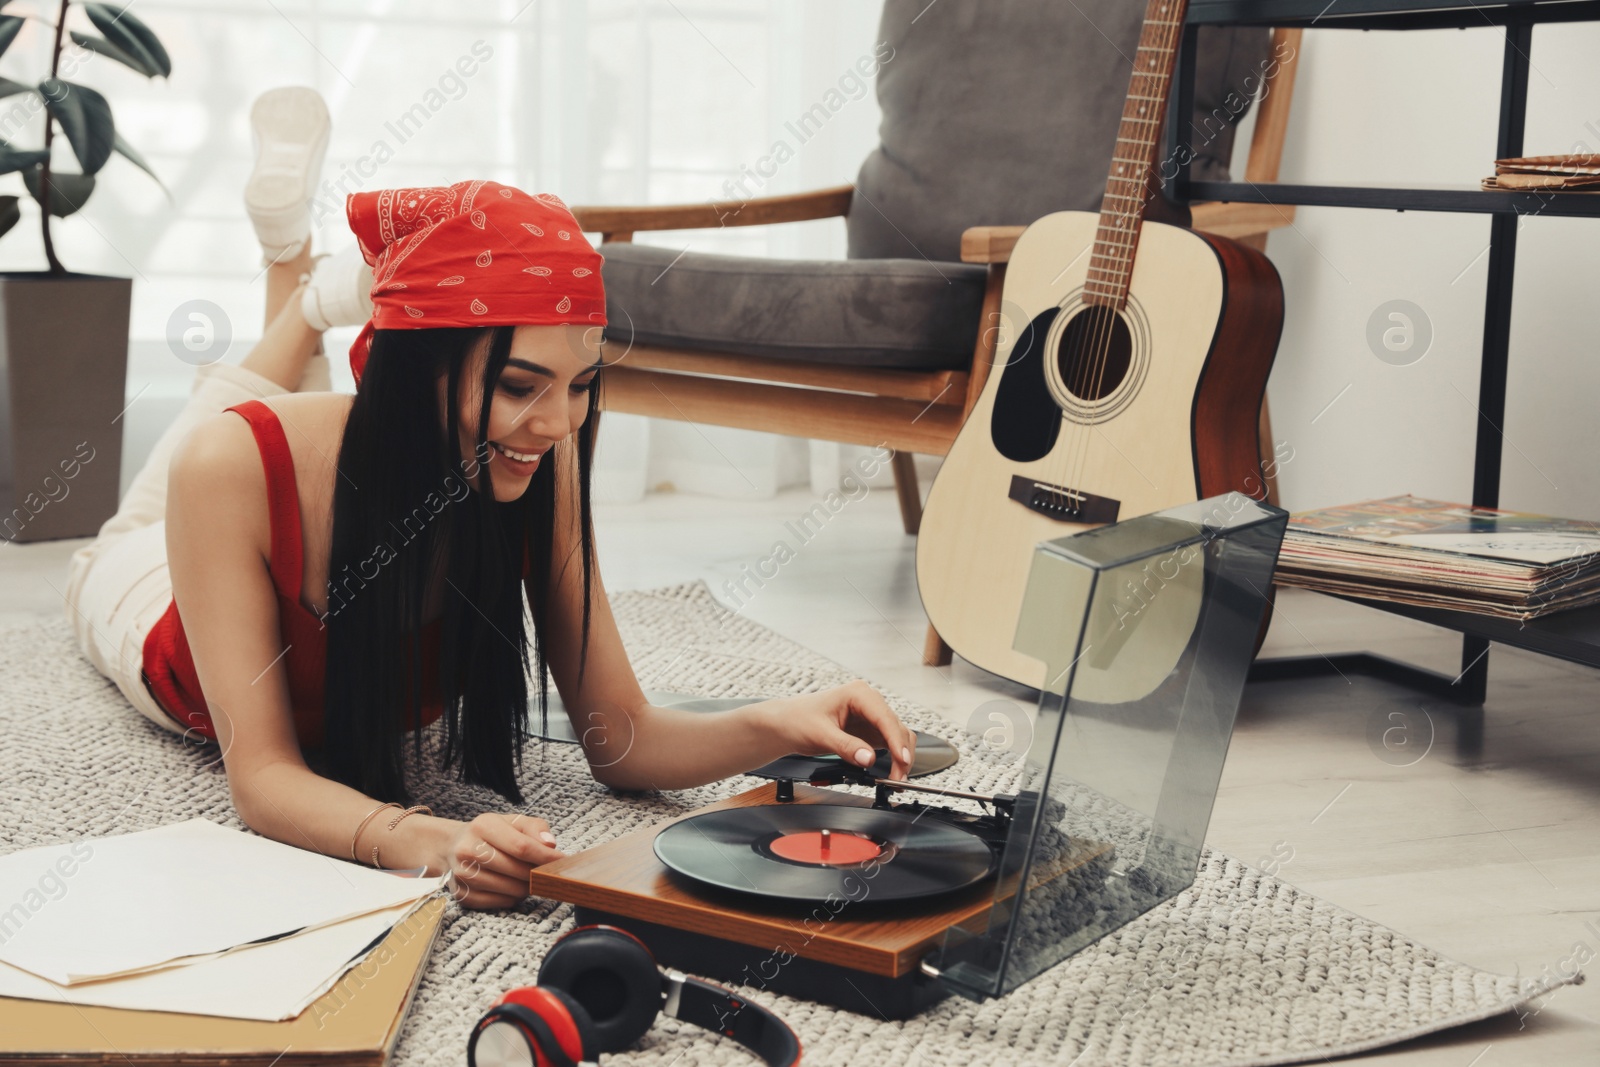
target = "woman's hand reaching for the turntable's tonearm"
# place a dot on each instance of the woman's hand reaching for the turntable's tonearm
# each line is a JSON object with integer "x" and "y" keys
{"x": 852, "y": 722}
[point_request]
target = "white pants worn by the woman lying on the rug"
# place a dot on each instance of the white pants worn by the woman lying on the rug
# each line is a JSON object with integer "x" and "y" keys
{"x": 119, "y": 585}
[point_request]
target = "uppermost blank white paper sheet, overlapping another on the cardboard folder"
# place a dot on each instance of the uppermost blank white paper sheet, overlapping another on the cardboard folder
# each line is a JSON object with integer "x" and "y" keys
{"x": 111, "y": 906}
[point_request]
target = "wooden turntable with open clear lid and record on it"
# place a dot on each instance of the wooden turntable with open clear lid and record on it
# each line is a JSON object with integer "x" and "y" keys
{"x": 887, "y": 903}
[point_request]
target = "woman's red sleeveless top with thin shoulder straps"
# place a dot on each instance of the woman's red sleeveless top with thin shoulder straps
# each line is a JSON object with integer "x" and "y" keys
{"x": 169, "y": 665}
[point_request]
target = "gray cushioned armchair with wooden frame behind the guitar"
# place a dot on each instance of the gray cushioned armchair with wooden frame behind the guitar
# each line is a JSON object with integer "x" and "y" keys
{"x": 996, "y": 113}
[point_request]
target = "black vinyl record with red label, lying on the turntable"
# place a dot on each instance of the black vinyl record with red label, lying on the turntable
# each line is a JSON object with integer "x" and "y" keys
{"x": 809, "y": 853}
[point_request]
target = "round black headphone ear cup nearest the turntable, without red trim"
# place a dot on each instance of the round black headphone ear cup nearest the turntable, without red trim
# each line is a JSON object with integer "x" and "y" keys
{"x": 612, "y": 977}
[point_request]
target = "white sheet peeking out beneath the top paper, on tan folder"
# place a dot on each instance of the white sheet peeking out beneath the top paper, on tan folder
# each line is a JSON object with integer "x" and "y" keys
{"x": 270, "y": 983}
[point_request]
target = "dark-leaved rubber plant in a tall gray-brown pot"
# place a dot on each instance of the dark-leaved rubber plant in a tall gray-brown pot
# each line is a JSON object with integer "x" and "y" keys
{"x": 65, "y": 335}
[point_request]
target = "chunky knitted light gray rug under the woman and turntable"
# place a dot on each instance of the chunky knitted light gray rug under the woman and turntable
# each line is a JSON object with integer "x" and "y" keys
{"x": 1242, "y": 969}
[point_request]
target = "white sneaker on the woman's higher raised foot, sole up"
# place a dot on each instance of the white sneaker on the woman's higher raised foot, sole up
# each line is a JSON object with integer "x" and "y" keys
{"x": 290, "y": 130}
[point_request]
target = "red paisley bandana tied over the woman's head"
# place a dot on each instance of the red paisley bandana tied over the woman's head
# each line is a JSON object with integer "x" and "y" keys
{"x": 476, "y": 254}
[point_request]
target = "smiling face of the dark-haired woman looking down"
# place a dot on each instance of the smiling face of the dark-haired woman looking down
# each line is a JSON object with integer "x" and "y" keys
{"x": 542, "y": 399}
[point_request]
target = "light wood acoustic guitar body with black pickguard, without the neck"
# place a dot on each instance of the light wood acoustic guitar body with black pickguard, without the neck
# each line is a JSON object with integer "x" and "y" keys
{"x": 1092, "y": 417}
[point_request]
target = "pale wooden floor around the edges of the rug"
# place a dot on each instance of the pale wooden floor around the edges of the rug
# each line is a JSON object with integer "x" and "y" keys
{"x": 1495, "y": 861}
